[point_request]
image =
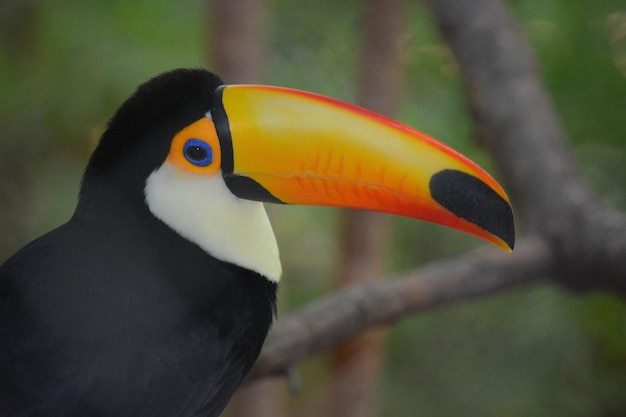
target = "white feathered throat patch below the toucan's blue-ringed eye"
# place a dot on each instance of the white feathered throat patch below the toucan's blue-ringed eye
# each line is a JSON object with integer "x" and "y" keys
{"x": 203, "y": 210}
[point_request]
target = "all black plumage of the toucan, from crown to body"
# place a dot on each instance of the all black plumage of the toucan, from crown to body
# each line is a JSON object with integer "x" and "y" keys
{"x": 113, "y": 313}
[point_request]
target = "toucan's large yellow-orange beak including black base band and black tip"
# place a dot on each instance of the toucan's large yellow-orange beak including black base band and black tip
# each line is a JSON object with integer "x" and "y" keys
{"x": 287, "y": 146}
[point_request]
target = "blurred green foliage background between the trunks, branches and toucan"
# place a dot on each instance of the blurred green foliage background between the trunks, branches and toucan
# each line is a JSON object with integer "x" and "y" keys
{"x": 66, "y": 65}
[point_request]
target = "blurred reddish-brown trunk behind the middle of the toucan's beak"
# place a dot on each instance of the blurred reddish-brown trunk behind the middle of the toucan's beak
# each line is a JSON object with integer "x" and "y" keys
{"x": 356, "y": 363}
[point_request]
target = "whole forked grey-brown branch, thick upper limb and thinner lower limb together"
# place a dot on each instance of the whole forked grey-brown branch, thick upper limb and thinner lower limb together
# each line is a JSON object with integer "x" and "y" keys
{"x": 577, "y": 240}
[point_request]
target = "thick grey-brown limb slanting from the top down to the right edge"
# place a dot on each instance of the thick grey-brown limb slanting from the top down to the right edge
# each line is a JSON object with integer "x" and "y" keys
{"x": 516, "y": 120}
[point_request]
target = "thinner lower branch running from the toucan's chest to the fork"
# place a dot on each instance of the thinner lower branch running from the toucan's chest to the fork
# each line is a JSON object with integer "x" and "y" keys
{"x": 333, "y": 319}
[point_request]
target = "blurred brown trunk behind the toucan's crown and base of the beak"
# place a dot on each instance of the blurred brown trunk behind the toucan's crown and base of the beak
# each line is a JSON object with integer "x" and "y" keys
{"x": 237, "y": 55}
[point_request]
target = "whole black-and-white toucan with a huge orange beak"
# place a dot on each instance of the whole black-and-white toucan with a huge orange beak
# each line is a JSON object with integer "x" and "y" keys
{"x": 155, "y": 298}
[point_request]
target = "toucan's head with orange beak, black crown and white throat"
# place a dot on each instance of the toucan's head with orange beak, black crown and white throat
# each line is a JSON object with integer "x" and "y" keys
{"x": 204, "y": 156}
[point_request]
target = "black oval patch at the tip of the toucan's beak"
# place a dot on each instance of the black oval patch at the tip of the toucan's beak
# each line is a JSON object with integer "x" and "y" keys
{"x": 470, "y": 198}
